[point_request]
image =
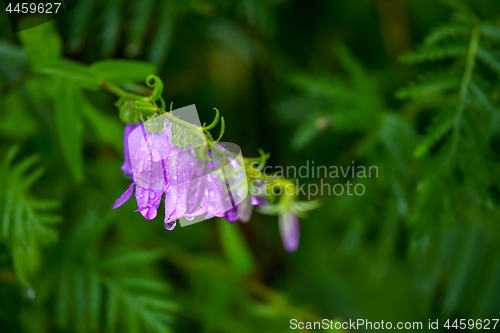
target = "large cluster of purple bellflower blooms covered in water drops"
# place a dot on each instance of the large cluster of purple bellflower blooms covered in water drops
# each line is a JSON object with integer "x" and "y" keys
{"x": 158, "y": 167}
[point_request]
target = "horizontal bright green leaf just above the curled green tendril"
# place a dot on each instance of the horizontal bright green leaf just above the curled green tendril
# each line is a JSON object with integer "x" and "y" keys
{"x": 122, "y": 71}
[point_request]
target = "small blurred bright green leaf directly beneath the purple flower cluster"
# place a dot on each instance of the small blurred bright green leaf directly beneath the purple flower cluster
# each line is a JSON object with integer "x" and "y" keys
{"x": 235, "y": 248}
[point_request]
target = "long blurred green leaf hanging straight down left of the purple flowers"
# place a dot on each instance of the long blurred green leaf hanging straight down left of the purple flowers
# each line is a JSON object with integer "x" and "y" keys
{"x": 68, "y": 116}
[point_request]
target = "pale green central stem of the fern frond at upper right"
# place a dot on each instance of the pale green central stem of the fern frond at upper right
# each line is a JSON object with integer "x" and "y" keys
{"x": 464, "y": 86}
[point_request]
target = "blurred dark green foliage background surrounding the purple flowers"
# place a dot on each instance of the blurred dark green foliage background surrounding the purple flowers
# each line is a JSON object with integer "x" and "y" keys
{"x": 325, "y": 81}
